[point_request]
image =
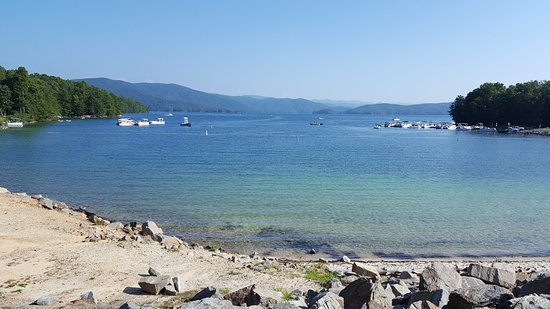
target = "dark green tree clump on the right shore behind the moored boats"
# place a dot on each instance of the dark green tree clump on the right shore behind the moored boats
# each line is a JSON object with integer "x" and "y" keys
{"x": 493, "y": 104}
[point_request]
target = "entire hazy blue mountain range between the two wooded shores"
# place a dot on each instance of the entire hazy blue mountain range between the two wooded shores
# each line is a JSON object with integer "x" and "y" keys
{"x": 177, "y": 98}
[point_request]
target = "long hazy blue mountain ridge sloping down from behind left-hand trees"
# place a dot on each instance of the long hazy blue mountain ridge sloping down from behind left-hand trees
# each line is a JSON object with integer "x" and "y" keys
{"x": 172, "y": 97}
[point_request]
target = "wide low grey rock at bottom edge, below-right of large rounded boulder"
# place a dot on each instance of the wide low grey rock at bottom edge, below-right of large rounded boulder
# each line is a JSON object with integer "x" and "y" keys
{"x": 478, "y": 296}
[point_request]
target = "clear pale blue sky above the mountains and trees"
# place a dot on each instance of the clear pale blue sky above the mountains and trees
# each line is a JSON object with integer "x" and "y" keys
{"x": 378, "y": 51}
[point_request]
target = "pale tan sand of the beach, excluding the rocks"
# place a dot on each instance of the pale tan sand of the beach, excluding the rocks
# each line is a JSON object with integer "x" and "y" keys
{"x": 49, "y": 252}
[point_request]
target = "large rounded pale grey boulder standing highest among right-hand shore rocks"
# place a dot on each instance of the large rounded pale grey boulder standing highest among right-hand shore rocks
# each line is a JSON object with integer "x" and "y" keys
{"x": 440, "y": 276}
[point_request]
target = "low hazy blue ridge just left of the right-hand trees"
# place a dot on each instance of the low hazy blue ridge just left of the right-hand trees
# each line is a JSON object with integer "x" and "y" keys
{"x": 396, "y": 109}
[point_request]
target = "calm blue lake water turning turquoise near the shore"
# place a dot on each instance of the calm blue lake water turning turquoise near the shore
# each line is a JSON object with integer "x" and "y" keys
{"x": 275, "y": 184}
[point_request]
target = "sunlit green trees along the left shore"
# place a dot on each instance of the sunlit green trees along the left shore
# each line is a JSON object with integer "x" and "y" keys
{"x": 39, "y": 97}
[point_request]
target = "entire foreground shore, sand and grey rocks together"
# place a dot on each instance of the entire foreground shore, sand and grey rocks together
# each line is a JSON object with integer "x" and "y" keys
{"x": 91, "y": 262}
